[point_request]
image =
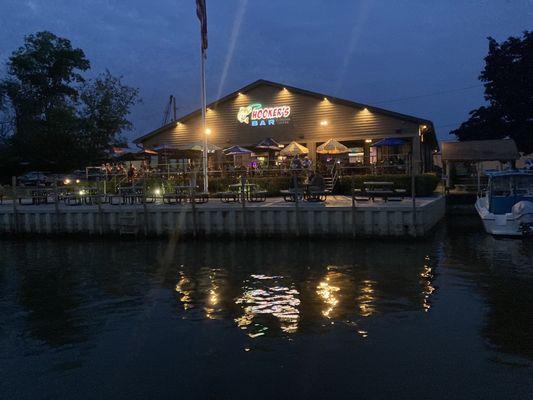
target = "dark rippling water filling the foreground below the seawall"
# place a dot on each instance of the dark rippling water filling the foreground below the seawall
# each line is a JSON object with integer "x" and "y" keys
{"x": 449, "y": 317}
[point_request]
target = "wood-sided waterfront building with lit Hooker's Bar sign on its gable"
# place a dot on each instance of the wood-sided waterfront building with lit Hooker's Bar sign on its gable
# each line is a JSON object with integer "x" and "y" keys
{"x": 265, "y": 109}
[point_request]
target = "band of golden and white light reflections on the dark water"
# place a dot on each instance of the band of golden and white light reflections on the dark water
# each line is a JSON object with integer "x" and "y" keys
{"x": 286, "y": 296}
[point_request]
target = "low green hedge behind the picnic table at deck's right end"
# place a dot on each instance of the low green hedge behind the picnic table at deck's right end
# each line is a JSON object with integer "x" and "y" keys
{"x": 425, "y": 184}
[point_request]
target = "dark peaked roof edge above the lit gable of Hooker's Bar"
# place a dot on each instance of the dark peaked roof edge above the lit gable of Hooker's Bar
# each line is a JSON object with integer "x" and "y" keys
{"x": 260, "y": 82}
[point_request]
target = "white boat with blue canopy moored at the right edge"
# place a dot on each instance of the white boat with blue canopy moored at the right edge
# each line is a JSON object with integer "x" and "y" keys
{"x": 506, "y": 208}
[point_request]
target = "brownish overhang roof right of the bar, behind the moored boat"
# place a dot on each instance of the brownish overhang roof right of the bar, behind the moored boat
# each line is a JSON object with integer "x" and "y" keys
{"x": 480, "y": 150}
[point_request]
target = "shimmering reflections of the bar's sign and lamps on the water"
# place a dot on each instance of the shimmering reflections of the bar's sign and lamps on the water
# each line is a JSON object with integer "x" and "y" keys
{"x": 268, "y": 304}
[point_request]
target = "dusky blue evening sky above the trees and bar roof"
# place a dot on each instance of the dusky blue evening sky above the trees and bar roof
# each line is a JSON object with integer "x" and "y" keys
{"x": 369, "y": 51}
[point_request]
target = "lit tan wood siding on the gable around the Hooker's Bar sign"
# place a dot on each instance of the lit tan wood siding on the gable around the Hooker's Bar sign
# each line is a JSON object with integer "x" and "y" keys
{"x": 343, "y": 122}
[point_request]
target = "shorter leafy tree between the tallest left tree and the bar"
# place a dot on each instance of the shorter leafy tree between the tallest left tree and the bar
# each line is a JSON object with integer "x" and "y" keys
{"x": 106, "y": 105}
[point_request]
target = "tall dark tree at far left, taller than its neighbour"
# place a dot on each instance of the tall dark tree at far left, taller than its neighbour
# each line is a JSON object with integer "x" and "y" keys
{"x": 41, "y": 87}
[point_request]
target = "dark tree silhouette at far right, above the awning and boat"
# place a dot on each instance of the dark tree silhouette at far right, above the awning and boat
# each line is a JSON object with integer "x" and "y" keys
{"x": 508, "y": 77}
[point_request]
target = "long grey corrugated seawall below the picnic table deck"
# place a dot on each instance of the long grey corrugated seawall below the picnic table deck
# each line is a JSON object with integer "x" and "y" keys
{"x": 274, "y": 218}
